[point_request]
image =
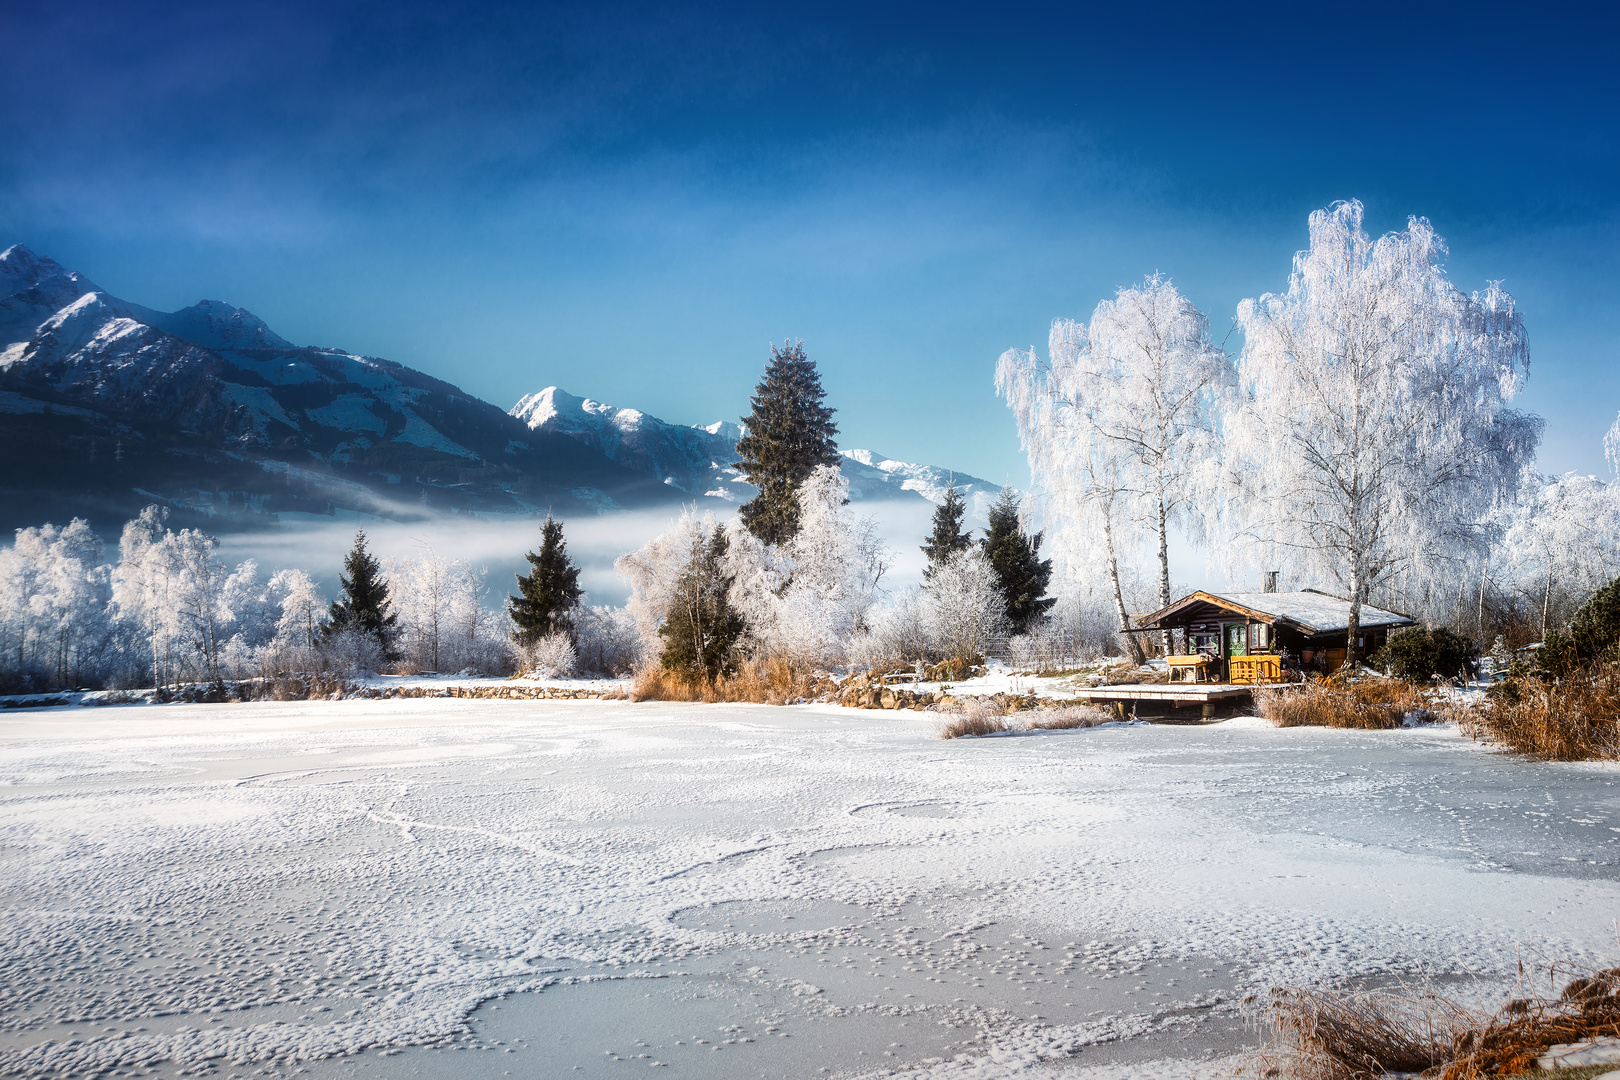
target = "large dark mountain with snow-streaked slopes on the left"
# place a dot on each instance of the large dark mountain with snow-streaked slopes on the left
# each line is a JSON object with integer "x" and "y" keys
{"x": 211, "y": 412}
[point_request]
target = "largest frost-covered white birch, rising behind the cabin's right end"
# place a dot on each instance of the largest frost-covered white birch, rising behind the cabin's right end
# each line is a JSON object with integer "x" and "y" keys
{"x": 1375, "y": 438}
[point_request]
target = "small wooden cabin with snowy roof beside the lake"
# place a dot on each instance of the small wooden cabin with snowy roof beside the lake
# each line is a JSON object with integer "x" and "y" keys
{"x": 1305, "y": 631}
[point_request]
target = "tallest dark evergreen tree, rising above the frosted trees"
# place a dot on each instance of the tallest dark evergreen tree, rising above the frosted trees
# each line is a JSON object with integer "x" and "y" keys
{"x": 790, "y": 435}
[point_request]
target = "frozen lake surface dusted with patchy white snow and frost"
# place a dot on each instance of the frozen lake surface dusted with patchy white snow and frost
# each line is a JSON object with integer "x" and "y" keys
{"x": 446, "y": 888}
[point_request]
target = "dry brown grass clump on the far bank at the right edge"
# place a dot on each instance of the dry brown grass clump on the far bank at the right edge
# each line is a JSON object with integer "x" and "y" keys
{"x": 1575, "y": 720}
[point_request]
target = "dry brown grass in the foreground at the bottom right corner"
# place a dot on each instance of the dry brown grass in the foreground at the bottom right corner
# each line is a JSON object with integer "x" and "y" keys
{"x": 1362, "y": 1035}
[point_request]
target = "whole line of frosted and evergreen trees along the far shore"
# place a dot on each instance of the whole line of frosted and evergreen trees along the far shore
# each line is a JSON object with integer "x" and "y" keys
{"x": 1360, "y": 441}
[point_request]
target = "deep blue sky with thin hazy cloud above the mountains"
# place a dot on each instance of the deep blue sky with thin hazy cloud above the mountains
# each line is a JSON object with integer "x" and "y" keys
{"x": 631, "y": 202}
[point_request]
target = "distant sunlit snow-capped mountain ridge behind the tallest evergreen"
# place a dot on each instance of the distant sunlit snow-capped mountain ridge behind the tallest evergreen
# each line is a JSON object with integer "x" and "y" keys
{"x": 701, "y": 461}
